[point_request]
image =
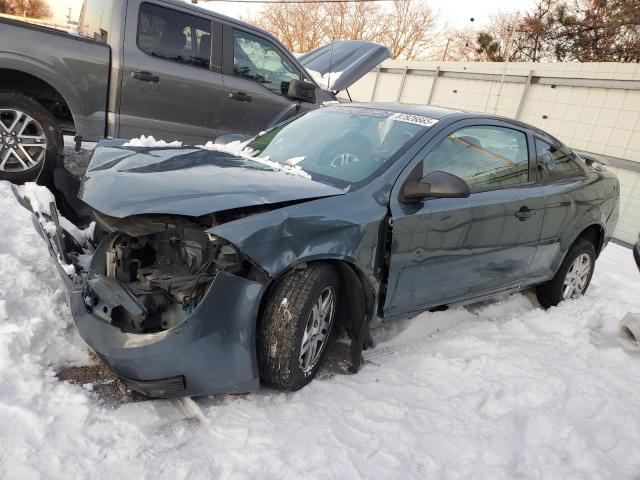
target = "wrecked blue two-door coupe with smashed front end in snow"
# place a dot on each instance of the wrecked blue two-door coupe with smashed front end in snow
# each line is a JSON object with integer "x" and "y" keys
{"x": 218, "y": 268}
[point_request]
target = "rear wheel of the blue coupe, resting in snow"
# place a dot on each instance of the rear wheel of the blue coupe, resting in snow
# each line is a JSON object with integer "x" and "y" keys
{"x": 553, "y": 292}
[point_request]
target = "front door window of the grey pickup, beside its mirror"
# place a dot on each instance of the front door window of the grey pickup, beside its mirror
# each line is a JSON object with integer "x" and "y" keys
{"x": 260, "y": 60}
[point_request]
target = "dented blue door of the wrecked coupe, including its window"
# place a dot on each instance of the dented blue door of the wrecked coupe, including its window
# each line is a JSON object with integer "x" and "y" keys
{"x": 450, "y": 250}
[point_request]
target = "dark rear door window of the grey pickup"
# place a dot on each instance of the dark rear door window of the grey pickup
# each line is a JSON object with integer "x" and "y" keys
{"x": 172, "y": 35}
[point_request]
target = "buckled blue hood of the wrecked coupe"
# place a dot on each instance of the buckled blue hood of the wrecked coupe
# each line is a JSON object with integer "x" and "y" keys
{"x": 123, "y": 181}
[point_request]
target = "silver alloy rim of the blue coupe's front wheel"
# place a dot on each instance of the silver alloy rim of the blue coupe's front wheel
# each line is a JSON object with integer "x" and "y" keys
{"x": 316, "y": 332}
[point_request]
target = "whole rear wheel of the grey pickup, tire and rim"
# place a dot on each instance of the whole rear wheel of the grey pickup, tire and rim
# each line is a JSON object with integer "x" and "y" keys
{"x": 28, "y": 135}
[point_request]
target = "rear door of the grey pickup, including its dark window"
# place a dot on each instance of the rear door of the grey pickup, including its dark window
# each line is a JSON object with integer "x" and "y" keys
{"x": 172, "y": 80}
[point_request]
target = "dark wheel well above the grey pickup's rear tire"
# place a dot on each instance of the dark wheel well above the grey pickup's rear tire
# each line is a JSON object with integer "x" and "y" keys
{"x": 40, "y": 91}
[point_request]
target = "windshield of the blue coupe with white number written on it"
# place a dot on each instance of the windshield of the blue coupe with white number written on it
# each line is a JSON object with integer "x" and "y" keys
{"x": 341, "y": 146}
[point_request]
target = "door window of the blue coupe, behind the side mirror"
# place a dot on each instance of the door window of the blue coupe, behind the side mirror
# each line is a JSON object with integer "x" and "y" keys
{"x": 485, "y": 157}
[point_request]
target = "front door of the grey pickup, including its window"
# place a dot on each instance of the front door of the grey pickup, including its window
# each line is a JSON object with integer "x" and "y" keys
{"x": 256, "y": 78}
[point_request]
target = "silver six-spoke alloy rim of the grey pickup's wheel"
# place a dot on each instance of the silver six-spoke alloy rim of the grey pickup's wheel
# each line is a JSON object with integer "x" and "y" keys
{"x": 22, "y": 141}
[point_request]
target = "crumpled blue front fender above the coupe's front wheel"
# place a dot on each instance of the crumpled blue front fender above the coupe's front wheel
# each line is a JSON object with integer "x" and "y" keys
{"x": 345, "y": 228}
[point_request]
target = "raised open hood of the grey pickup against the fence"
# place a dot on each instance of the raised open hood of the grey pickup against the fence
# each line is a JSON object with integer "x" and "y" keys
{"x": 338, "y": 65}
